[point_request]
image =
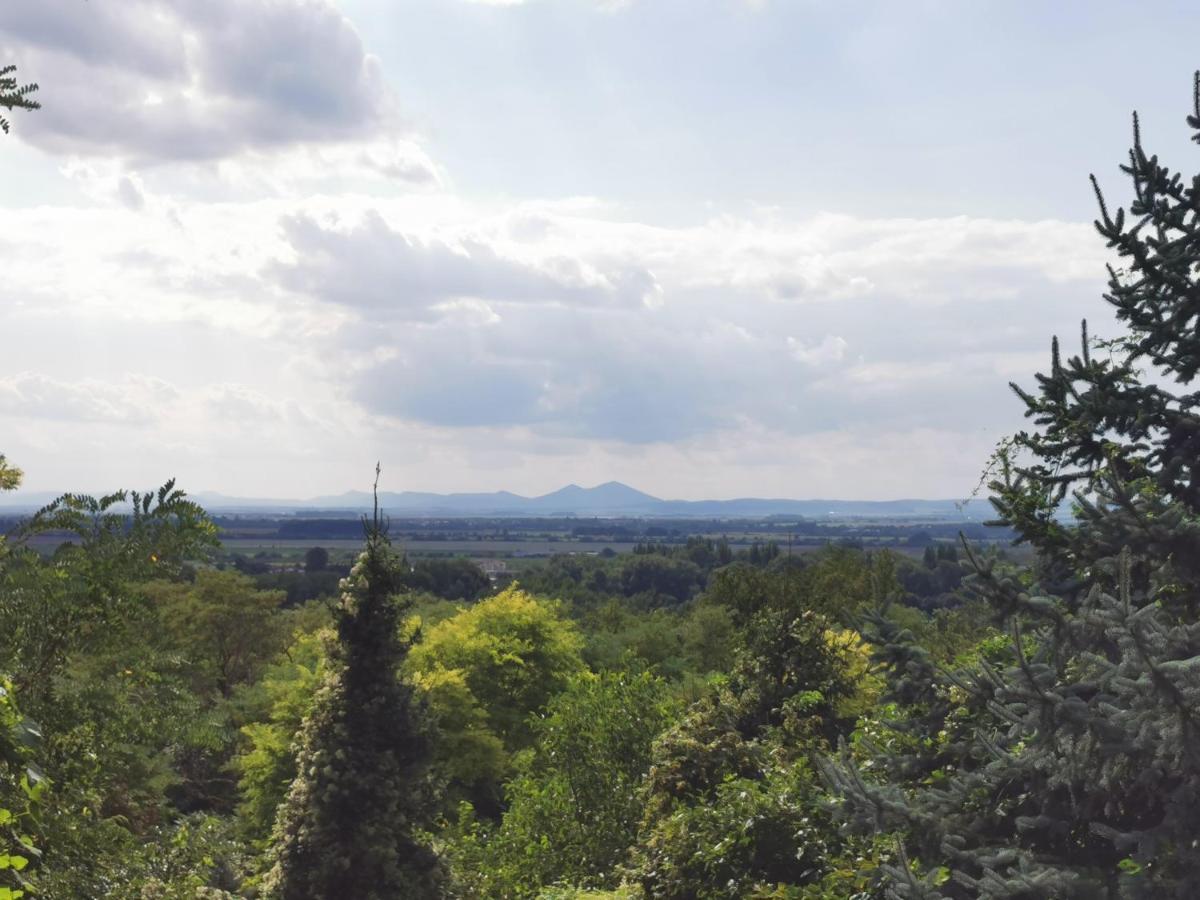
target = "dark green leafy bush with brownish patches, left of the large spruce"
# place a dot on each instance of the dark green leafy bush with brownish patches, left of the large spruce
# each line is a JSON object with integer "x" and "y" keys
{"x": 731, "y": 806}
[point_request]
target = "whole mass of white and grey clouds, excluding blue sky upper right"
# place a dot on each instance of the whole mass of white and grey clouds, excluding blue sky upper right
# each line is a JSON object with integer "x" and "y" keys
{"x": 263, "y": 283}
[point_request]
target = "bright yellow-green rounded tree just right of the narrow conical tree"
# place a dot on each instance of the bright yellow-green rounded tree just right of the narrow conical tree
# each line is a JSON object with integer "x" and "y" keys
{"x": 513, "y": 652}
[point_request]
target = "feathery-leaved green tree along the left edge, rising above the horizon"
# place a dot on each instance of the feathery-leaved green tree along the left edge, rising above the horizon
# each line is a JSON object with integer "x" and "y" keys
{"x": 83, "y": 645}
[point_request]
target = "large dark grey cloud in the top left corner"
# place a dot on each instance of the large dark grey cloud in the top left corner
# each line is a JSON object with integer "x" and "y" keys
{"x": 163, "y": 81}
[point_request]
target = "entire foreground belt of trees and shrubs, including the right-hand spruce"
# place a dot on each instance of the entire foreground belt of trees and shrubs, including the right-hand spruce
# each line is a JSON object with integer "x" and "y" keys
{"x": 687, "y": 721}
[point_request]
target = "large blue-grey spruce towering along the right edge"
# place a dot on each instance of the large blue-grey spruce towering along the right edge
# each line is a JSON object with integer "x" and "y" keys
{"x": 1067, "y": 764}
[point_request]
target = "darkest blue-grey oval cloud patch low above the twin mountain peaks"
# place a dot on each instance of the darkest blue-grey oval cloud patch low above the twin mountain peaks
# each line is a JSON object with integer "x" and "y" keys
{"x": 566, "y": 373}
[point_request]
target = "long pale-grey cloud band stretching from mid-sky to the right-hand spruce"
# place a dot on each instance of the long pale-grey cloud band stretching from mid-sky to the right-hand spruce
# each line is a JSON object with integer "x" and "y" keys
{"x": 710, "y": 362}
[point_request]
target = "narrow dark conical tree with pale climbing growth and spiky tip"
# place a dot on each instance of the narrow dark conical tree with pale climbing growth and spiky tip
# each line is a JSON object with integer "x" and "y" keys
{"x": 350, "y": 826}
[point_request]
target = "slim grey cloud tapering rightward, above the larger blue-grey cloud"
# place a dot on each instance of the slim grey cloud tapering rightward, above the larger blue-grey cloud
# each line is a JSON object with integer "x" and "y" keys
{"x": 373, "y": 267}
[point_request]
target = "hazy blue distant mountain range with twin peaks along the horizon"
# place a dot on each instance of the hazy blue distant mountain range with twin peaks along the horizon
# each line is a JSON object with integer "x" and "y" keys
{"x": 605, "y": 501}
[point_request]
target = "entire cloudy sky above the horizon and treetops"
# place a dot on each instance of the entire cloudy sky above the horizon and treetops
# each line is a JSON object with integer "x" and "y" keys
{"x": 712, "y": 250}
